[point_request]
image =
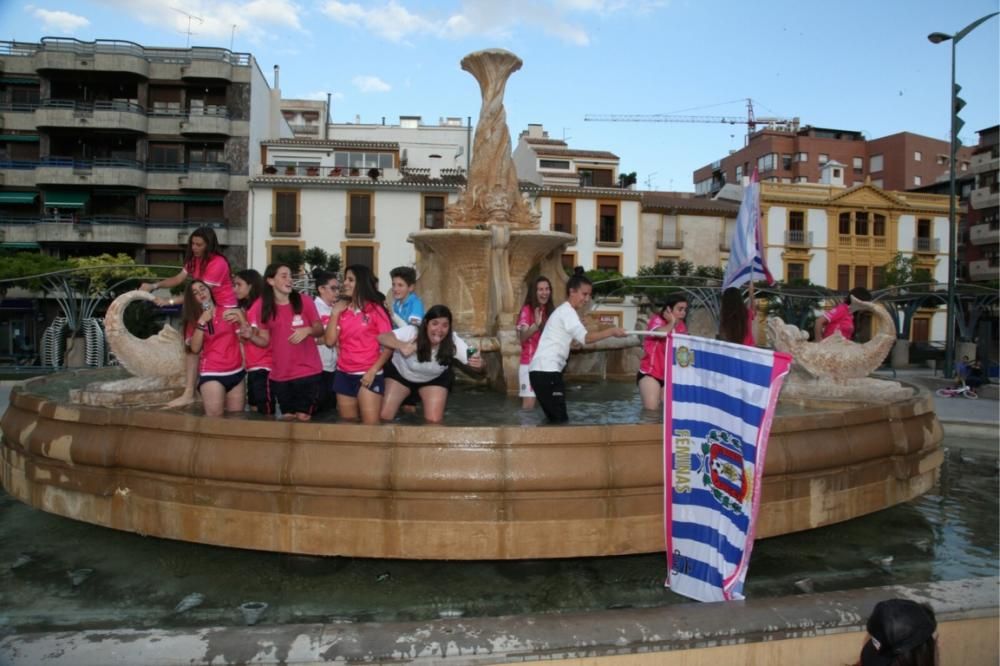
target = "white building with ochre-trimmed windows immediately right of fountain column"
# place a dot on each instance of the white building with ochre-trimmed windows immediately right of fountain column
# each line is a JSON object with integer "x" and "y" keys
{"x": 576, "y": 192}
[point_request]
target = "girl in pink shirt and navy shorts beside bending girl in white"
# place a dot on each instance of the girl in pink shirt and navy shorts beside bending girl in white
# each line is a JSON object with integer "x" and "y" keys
{"x": 356, "y": 321}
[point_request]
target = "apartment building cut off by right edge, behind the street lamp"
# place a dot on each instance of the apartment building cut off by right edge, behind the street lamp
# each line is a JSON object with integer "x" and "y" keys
{"x": 979, "y": 235}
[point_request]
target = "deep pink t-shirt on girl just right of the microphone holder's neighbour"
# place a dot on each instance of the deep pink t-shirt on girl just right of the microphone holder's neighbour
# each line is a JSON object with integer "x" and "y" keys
{"x": 289, "y": 361}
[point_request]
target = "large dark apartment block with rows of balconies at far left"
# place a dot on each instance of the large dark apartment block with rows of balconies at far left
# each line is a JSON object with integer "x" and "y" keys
{"x": 111, "y": 146}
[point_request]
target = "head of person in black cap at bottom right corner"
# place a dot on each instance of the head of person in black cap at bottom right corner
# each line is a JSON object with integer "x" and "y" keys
{"x": 900, "y": 633}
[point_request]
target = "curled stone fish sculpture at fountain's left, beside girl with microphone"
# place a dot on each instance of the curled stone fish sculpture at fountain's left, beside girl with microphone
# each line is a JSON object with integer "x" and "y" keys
{"x": 157, "y": 362}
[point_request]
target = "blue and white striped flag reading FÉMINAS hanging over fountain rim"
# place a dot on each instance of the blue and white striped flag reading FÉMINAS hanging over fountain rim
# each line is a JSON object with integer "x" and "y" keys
{"x": 719, "y": 402}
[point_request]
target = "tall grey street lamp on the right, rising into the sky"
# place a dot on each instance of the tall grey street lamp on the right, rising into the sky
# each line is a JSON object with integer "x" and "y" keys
{"x": 956, "y": 124}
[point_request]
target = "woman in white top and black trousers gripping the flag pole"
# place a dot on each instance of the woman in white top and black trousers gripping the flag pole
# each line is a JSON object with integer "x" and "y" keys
{"x": 563, "y": 328}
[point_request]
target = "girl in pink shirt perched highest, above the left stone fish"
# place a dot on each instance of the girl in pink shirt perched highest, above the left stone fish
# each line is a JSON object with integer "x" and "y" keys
{"x": 205, "y": 262}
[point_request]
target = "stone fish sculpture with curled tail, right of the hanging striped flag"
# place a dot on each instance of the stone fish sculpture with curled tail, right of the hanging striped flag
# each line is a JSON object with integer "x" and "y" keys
{"x": 835, "y": 367}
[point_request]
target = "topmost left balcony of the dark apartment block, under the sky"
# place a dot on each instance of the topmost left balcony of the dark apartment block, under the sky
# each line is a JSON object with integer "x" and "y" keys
{"x": 102, "y": 55}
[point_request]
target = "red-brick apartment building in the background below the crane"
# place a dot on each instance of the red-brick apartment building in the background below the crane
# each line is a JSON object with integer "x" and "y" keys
{"x": 900, "y": 161}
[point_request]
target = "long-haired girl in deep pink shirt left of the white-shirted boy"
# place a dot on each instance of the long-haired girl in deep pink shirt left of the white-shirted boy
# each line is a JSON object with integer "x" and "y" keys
{"x": 286, "y": 322}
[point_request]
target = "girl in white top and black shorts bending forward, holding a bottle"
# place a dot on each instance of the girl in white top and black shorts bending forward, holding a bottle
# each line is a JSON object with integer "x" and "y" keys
{"x": 421, "y": 363}
